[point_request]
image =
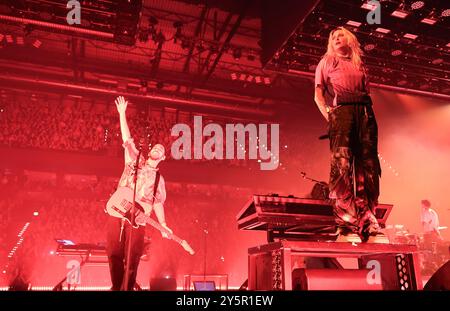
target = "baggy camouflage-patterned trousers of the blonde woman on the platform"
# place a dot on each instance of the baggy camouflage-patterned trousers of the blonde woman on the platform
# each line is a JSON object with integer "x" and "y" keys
{"x": 355, "y": 168}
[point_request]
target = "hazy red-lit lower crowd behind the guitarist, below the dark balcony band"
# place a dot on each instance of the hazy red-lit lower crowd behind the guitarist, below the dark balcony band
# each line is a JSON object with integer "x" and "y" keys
{"x": 74, "y": 210}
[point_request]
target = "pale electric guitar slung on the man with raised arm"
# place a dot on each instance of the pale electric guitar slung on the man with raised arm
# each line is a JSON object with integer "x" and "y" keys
{"x": 120, "y": 205}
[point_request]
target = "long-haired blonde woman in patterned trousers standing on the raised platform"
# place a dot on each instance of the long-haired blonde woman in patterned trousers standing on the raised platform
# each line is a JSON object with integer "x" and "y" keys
{"x": 342, "y": 96}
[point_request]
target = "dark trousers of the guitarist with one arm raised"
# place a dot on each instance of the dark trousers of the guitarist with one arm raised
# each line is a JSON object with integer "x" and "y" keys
{"x": 116, "y": 248}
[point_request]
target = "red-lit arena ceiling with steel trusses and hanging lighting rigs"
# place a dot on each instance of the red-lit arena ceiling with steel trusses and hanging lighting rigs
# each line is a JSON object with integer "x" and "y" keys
{"x": 206, "y": 55}
